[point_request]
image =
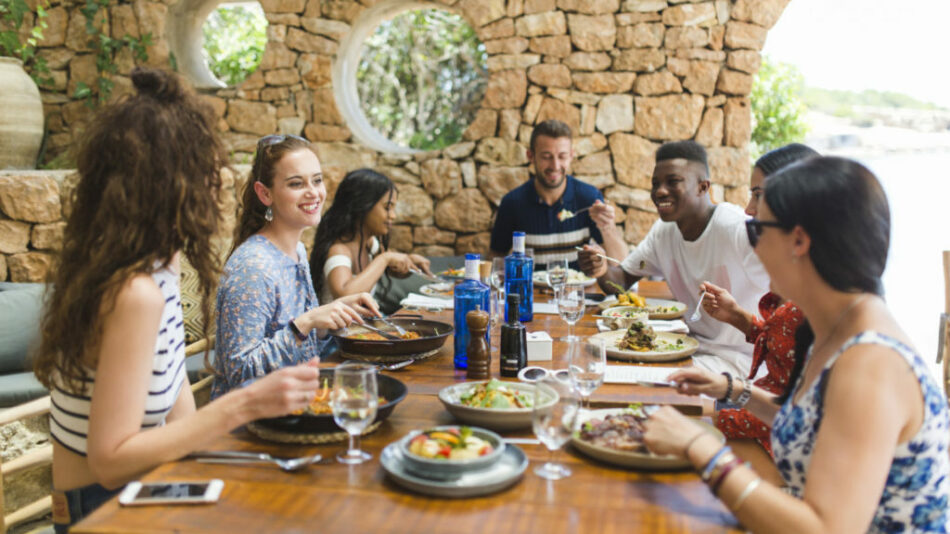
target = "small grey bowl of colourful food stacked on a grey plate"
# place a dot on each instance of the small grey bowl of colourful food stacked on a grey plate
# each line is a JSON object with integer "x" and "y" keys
{"x": 448, "y": 451}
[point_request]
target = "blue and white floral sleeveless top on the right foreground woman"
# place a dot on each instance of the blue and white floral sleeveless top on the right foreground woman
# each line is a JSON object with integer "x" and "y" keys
{"x": 916, "y": 494}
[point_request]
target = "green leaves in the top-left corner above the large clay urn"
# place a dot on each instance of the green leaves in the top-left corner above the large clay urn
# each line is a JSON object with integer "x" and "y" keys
{"x": 12, "y": 15}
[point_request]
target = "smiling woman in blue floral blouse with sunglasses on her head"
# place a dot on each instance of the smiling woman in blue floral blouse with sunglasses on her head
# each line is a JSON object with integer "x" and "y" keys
{"x": 268, "y": 315}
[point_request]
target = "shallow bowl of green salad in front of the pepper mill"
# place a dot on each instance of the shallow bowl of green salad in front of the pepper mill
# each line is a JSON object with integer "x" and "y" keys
{"x": 493, "y": 404}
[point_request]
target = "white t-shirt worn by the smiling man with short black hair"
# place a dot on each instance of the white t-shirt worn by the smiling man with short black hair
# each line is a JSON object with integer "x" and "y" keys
{"x": 721, "y": 255}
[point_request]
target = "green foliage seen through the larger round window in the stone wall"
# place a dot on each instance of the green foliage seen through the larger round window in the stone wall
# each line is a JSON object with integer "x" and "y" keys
{"x": 421, "y": 78}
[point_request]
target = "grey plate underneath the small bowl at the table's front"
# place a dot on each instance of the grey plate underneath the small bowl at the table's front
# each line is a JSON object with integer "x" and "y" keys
{"x": 496, "y": 477}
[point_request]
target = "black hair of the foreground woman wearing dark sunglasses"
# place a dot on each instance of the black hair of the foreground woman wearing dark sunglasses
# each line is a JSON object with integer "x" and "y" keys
{"x": 842, "y": 207}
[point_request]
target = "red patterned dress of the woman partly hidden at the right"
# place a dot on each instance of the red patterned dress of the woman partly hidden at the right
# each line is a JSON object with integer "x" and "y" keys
{"x": 774, "y": 338}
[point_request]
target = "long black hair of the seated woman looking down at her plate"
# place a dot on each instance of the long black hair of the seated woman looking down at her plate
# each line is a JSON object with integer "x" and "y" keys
{"x": 359, "y": 191}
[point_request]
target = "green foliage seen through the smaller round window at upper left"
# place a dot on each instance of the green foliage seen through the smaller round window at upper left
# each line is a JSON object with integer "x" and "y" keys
{"x": 235, "y": 37}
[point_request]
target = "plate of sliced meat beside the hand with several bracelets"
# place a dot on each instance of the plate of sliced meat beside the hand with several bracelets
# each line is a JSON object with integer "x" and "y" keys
{"x": 615, "y": 436}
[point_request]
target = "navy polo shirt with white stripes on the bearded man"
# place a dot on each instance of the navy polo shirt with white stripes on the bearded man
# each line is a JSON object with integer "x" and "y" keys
{"x": 523, "y": 210}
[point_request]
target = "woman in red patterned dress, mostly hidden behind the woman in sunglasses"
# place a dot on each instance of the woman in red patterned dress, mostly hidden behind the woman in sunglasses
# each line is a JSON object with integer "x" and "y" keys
{"x": 772, "y": 334}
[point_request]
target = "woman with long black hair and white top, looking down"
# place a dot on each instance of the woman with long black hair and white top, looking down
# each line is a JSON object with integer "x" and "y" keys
{"x": 350, "y": 251}
